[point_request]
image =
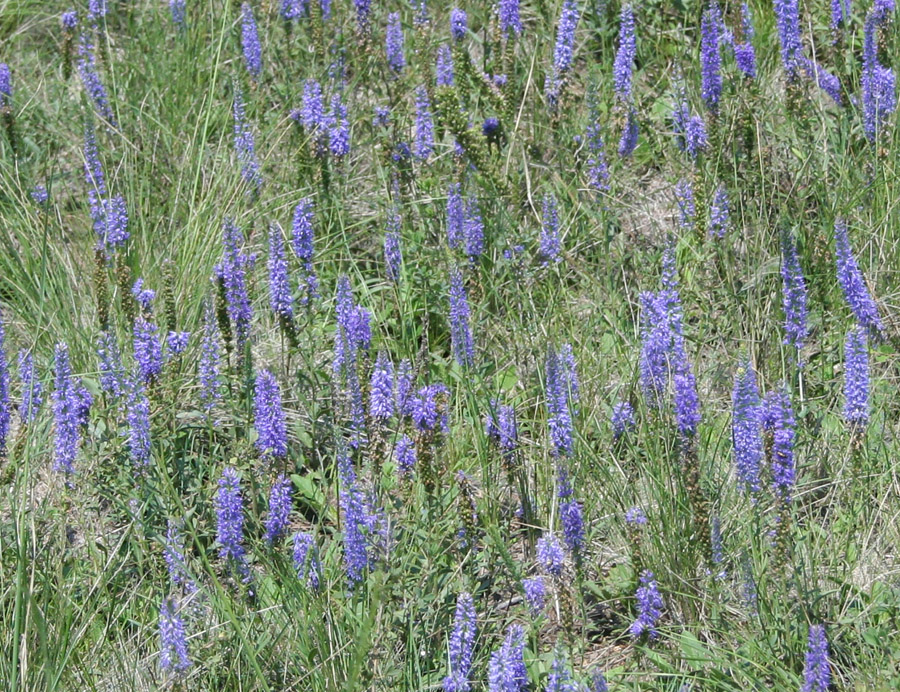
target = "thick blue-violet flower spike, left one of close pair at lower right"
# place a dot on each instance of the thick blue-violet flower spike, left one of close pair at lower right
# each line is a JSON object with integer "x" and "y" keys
{"x": 746, "y": 431}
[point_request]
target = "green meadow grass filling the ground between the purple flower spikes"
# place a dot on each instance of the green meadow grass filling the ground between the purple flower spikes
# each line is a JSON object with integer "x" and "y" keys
{"x": 82, "y": 574}
